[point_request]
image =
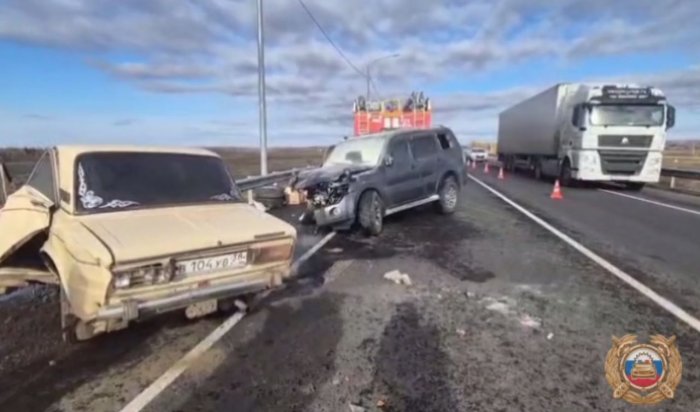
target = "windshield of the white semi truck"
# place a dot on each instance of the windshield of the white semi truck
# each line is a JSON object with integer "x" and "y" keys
{"x": 629, "y": 115}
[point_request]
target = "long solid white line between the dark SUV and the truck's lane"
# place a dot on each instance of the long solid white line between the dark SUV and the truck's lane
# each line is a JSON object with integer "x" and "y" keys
{"x": 640, "y": 287}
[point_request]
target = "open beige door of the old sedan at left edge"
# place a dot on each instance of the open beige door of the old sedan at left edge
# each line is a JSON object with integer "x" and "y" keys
{"x": 26, "y": 213}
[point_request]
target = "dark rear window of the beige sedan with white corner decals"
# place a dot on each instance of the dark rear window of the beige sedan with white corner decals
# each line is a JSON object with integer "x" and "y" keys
{"x": 112, "y": 181}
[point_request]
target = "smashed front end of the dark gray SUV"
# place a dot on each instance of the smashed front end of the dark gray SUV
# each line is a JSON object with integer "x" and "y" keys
{"x": 330, "y": 197}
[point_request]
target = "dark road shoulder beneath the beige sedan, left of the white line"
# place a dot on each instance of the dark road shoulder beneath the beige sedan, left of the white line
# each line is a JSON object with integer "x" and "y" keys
{"x": 38, "y": 371}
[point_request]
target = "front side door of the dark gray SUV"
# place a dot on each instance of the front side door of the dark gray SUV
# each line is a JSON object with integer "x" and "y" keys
{"x": 400, "y": 173}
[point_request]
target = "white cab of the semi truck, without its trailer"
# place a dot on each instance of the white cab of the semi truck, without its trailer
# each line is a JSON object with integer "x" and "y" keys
{"x": 617, "y": 133}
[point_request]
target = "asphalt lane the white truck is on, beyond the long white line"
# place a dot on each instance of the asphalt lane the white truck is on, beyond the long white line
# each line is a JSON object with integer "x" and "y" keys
{"x": 657, "y": 245}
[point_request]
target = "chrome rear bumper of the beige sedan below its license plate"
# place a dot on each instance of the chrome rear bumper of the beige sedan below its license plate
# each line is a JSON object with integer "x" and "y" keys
{"x": 132, "y": 309}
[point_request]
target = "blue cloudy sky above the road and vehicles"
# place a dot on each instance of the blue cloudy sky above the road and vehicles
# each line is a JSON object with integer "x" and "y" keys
{"x": 184, "y": 72}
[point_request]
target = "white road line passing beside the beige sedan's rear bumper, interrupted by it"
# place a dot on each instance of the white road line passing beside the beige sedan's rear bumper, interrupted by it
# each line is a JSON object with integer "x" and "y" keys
{"x": 166, "y": 379}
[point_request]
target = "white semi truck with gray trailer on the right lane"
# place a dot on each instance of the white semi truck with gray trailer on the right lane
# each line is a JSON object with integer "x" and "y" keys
{"x": 586, "y": 132}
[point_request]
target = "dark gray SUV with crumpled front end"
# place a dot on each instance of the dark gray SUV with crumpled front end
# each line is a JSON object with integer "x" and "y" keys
{"x": 366, "y": 178}
